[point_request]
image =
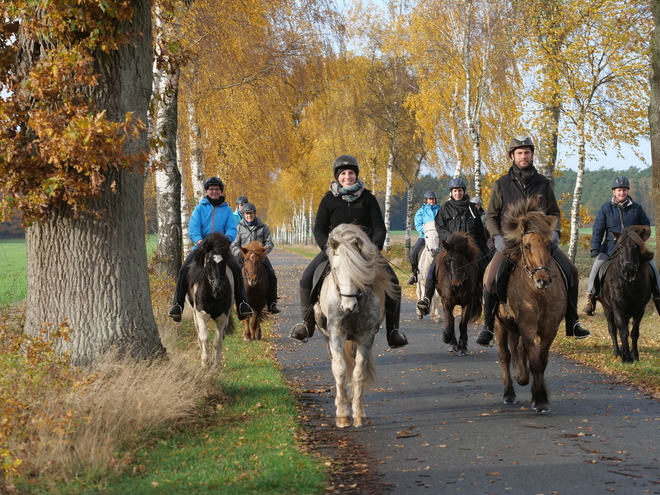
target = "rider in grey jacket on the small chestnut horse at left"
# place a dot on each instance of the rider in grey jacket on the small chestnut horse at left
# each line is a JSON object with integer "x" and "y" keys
{"x": 250, "y": 229}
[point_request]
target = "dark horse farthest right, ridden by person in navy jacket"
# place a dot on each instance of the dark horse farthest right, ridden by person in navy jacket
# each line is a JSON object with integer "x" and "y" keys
{"x": 626, "y": 289}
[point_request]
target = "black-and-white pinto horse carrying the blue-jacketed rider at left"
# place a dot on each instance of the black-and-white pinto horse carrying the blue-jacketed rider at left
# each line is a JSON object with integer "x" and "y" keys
{"x": 211, "y": 294}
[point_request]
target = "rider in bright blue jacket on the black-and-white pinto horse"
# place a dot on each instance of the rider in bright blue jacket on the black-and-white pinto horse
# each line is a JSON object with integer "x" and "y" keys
{"x": 212, "y": 214}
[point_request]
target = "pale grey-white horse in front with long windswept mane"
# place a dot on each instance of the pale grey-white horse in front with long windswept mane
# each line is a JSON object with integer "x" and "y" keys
{"x": 349, "y": 312}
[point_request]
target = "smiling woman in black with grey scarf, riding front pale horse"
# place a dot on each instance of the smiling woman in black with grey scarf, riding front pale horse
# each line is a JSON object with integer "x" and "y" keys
{"x": 347, "y": 202}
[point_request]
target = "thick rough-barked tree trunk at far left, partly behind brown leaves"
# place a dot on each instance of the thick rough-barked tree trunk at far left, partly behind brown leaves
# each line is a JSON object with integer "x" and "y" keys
{"x": 89, "y": 273}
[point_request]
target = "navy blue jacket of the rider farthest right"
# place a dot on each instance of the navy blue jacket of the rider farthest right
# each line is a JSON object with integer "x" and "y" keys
{"x": 613, "y": 217}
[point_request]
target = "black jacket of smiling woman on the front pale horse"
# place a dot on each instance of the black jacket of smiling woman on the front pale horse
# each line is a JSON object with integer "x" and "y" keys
{"x": 364, "y": 211}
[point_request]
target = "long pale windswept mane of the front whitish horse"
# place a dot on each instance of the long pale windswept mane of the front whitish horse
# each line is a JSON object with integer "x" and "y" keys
{"x": 362, "y": 259}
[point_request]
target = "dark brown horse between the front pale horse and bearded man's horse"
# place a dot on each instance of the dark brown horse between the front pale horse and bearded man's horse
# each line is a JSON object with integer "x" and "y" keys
{"x": 459, "y": 284}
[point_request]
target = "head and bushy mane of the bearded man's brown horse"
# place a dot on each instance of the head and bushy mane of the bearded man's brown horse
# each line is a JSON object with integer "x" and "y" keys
{"x": 528, "y": 236}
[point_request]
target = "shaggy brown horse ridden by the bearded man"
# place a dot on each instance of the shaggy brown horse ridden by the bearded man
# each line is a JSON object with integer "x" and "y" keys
{"x": 527, "y": 324}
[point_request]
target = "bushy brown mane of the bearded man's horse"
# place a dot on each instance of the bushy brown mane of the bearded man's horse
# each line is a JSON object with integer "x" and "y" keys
{"x": 522, "y": 216}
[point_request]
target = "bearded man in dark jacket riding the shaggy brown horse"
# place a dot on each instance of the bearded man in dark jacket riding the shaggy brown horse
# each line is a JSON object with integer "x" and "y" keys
{"x": 523, "y": 181}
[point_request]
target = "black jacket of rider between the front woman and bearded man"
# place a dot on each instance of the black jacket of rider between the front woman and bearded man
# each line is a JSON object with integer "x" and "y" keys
{"x": 461, "y": 216}
